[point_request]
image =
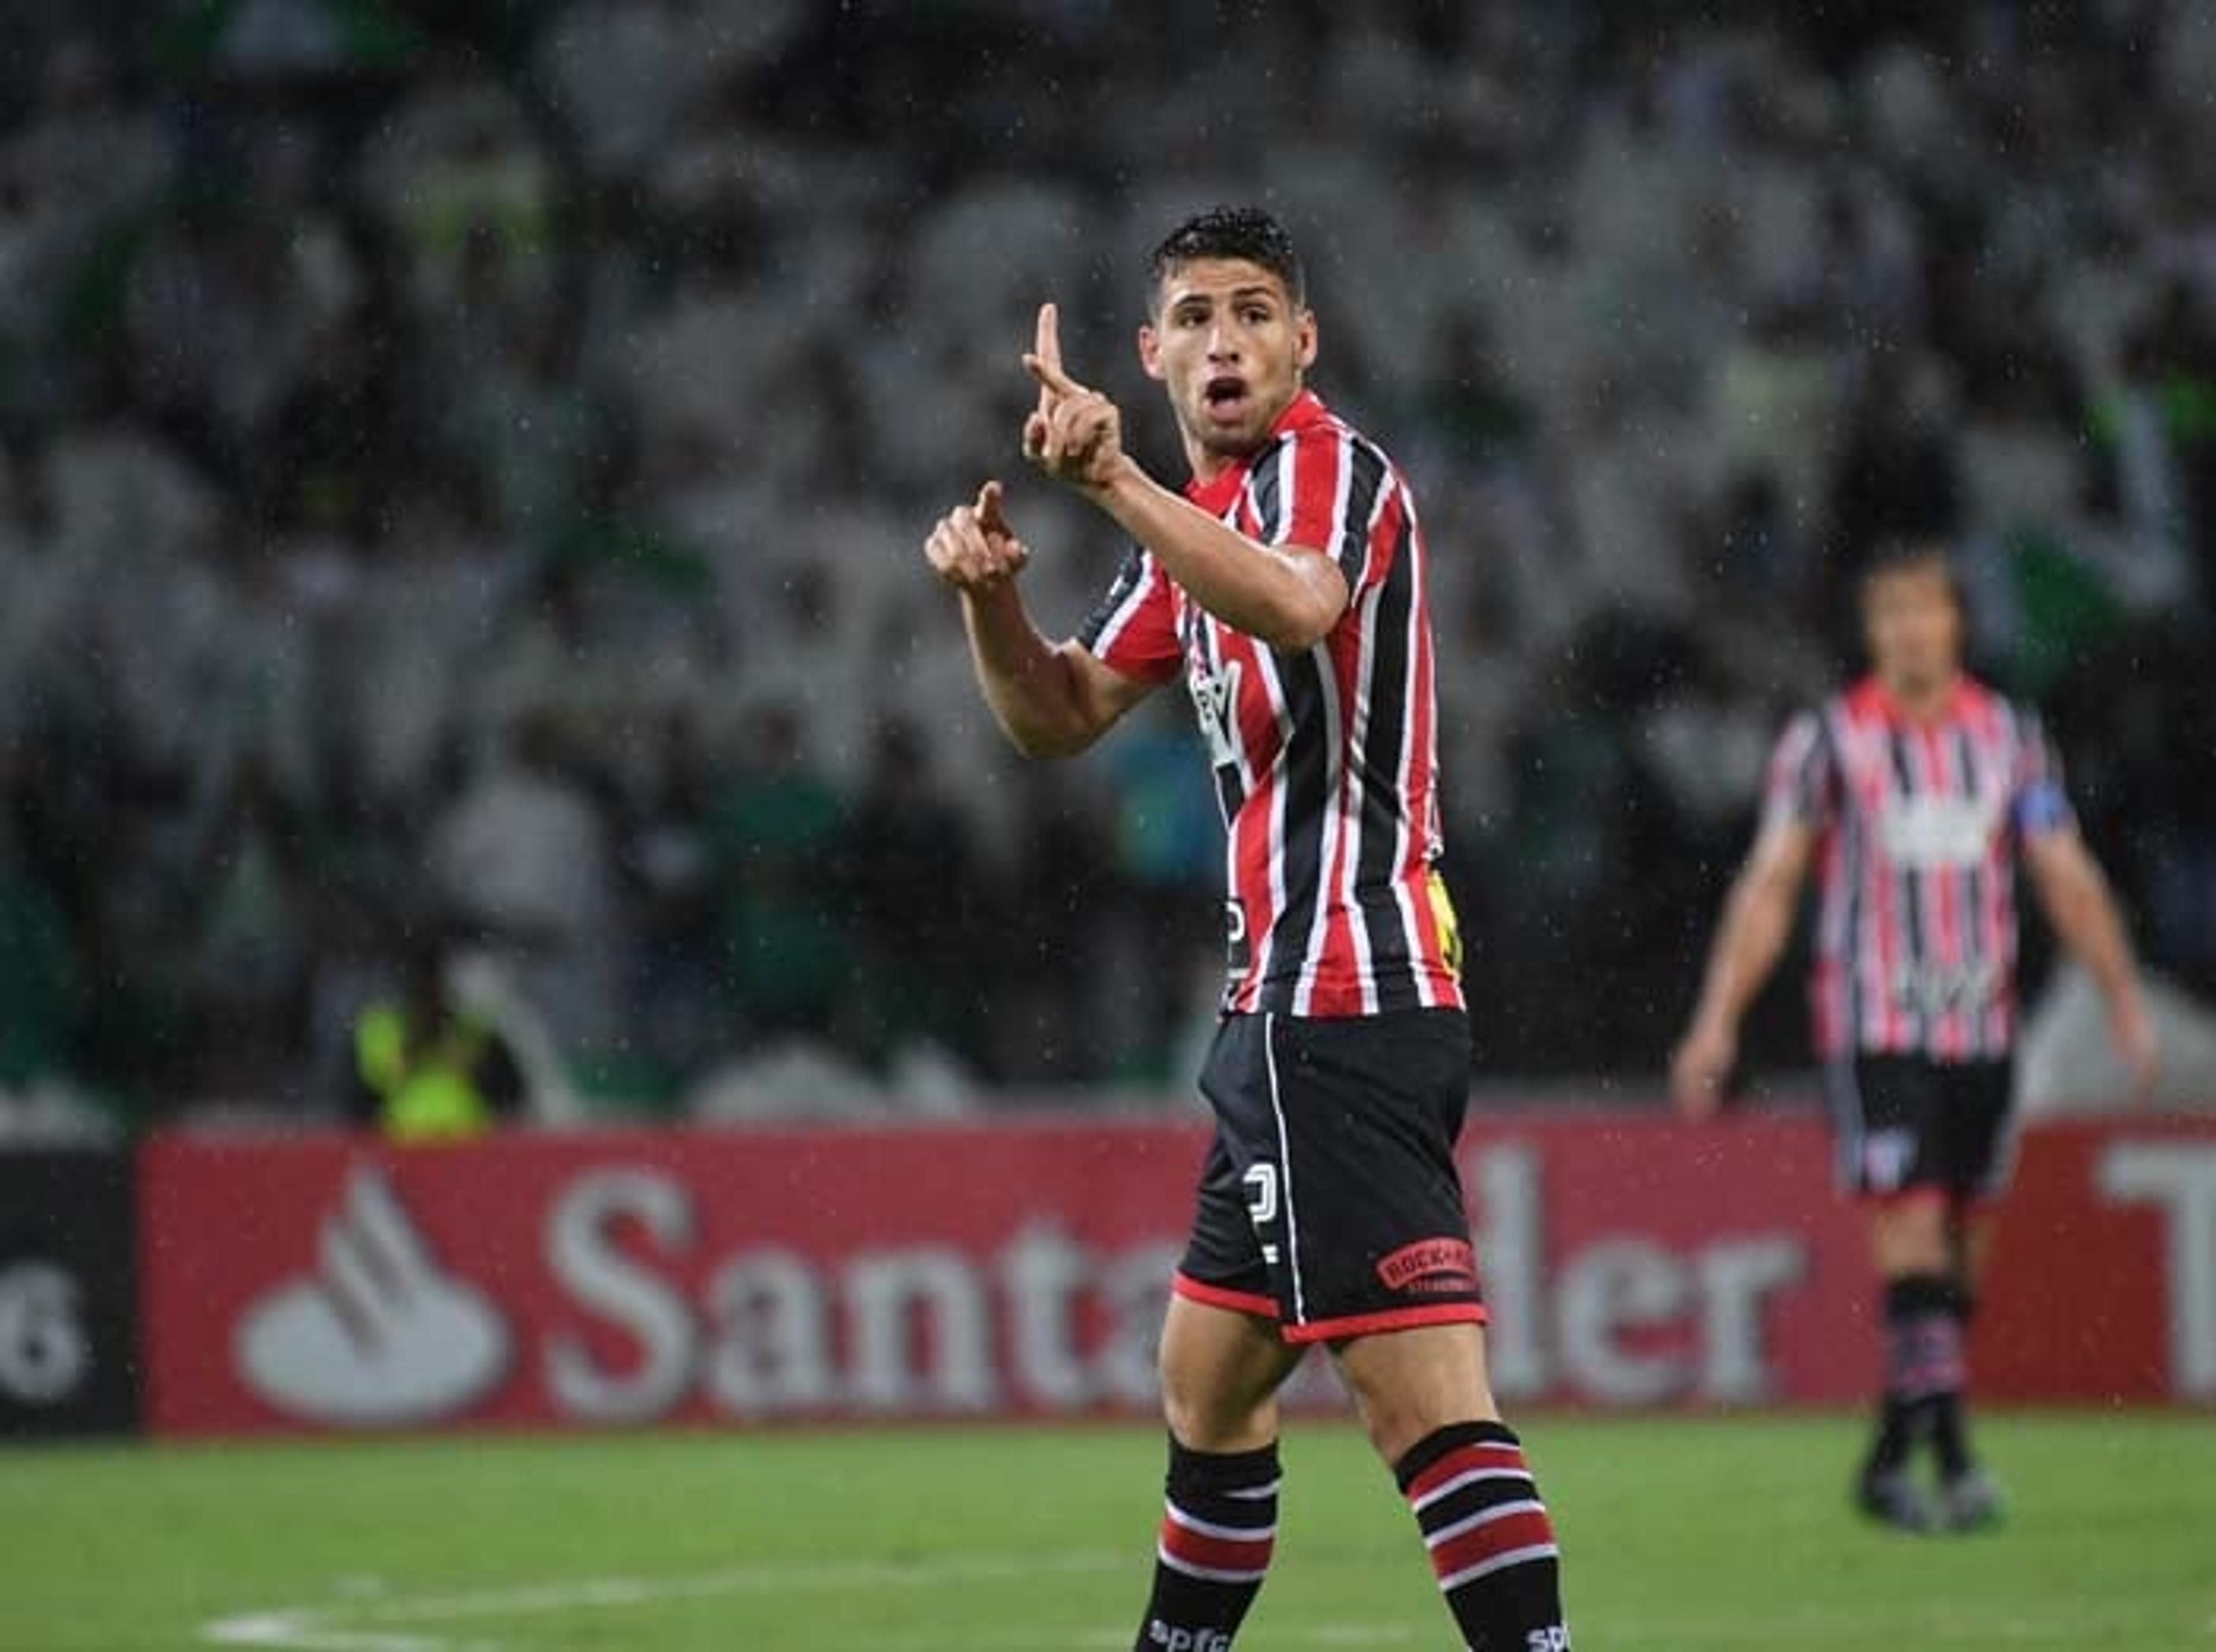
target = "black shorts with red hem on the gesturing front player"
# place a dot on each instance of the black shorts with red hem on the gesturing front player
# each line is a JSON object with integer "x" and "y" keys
{"x": 1331, "y": 1201}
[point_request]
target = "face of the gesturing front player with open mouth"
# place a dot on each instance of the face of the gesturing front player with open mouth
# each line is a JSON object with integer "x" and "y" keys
{"x": 1231, "y": 347}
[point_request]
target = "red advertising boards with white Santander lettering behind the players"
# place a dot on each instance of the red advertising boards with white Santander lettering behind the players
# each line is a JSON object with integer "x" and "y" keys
{"x": 1020, "y": 1270}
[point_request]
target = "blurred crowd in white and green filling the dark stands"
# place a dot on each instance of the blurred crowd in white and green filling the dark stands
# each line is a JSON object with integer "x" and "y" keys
{"x": 464, "y": 468}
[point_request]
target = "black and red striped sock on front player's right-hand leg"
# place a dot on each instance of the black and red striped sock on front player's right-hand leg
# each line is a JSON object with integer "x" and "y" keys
{"x": 1492, "y": 1545}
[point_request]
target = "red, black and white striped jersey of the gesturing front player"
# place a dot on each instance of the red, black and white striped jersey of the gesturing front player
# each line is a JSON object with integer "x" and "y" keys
{"x": 1326, "y": 761}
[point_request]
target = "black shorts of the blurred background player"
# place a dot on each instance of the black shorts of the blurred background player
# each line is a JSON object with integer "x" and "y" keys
{"x": 1914, "y": 1126}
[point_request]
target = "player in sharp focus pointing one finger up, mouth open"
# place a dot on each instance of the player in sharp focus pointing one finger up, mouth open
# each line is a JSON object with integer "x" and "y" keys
{"x": 1289, "y": 588}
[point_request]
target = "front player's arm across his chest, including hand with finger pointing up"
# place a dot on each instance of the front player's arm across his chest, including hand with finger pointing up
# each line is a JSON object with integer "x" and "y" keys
{"x": 1282, "y": 595}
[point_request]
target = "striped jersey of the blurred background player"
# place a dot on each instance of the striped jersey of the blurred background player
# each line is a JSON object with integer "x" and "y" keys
{"x": 1920, "y": 825}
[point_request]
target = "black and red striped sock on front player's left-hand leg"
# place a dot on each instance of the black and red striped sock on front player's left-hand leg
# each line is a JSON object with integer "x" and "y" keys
{"x": 1218, "y": 1531}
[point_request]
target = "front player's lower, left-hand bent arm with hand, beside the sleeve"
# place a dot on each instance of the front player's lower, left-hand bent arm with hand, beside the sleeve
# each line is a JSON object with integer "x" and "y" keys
{"x": 1051, "y": 699}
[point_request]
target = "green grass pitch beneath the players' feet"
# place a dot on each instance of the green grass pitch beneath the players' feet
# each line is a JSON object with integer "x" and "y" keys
{"x": 1679, "y": 1534}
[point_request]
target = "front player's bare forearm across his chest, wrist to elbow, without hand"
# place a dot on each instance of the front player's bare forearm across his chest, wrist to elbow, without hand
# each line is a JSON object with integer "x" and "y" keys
{"x": 1282, "y": 597}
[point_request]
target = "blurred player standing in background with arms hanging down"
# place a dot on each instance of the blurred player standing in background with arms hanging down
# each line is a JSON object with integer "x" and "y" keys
{"x": 1916, "y": 796}
